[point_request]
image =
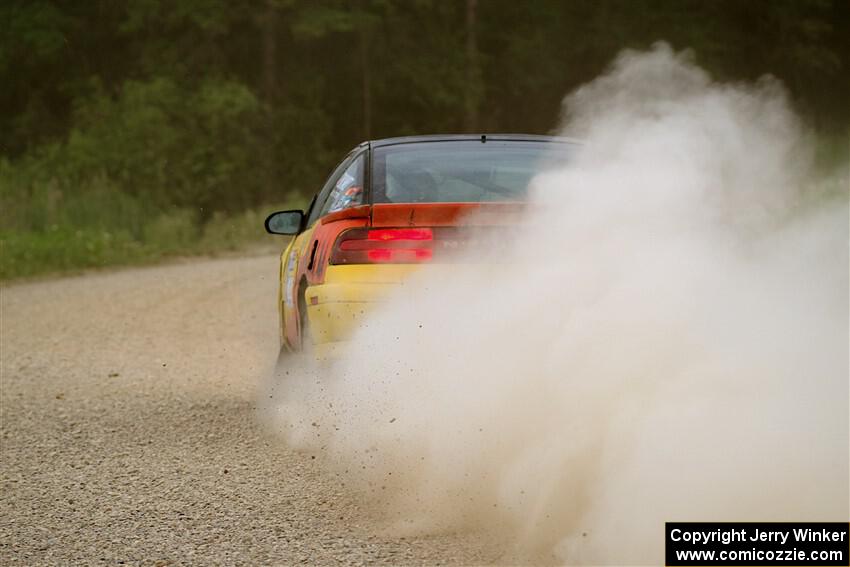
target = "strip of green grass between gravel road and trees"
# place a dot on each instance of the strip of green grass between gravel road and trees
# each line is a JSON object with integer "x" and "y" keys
{"x": 60, "y": 249}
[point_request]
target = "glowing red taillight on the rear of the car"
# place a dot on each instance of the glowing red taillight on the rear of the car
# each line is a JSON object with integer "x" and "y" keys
{"x": 383, "y": 245}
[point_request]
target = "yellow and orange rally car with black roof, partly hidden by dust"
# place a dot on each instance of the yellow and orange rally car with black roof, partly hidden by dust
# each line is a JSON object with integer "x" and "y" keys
{"x": 390, "y": 207}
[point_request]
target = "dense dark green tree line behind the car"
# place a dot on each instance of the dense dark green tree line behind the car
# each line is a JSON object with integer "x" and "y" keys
{"x": 223, "y": 105}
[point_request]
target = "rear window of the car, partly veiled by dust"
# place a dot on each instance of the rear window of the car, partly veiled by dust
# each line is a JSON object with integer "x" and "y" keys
{"x": 460, "y": 171}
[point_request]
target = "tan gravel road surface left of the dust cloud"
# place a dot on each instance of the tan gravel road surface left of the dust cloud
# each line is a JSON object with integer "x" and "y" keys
{"x": 130, "y": 431}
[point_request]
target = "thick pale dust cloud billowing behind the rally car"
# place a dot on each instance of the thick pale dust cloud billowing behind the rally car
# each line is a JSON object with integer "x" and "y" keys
{"x": 666, "y": 339}
